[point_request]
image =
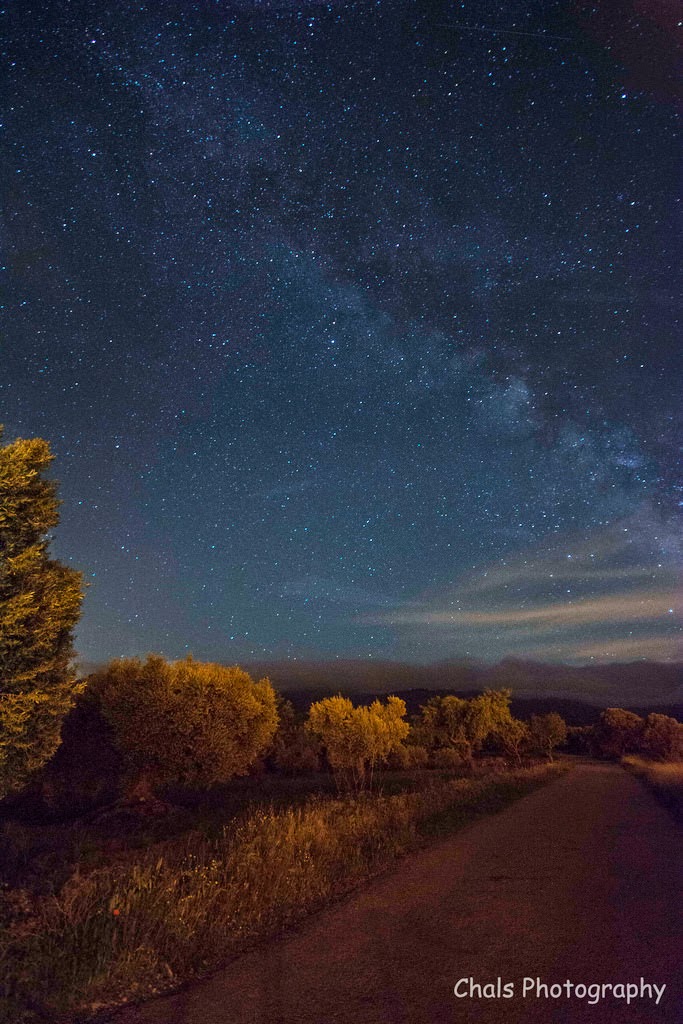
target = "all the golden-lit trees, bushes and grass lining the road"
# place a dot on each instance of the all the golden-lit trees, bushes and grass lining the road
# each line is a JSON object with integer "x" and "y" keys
{"x": 160, "y": 817}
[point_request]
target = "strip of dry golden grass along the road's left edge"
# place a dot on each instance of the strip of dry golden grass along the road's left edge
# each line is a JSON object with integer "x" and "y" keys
{"x": 129, "y": 931}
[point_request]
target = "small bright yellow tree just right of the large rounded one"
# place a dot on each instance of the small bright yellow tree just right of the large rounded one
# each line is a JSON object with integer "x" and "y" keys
{"x": 357, "y": 740}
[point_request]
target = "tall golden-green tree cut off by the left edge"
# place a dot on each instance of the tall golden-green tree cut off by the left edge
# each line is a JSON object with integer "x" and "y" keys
{"x": 40, "y": 603}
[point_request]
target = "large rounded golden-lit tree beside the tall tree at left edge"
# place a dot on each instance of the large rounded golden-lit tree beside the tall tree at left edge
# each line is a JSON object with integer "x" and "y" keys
{"x": 188, "y": 722}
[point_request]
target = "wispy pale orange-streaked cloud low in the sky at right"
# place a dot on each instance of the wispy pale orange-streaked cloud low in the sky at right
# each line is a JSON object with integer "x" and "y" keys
{"x": 612, "y": 593}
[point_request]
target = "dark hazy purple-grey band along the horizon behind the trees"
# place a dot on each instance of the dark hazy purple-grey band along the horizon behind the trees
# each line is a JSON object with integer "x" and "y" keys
{"x": 639, "y": 686}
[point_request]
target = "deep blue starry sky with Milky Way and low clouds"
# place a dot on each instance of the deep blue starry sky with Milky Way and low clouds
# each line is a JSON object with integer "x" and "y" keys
{"x": 353, "y": 326}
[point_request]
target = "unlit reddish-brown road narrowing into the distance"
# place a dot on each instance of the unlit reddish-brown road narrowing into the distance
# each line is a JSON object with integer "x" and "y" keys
{"x": 579, "y": 882}
